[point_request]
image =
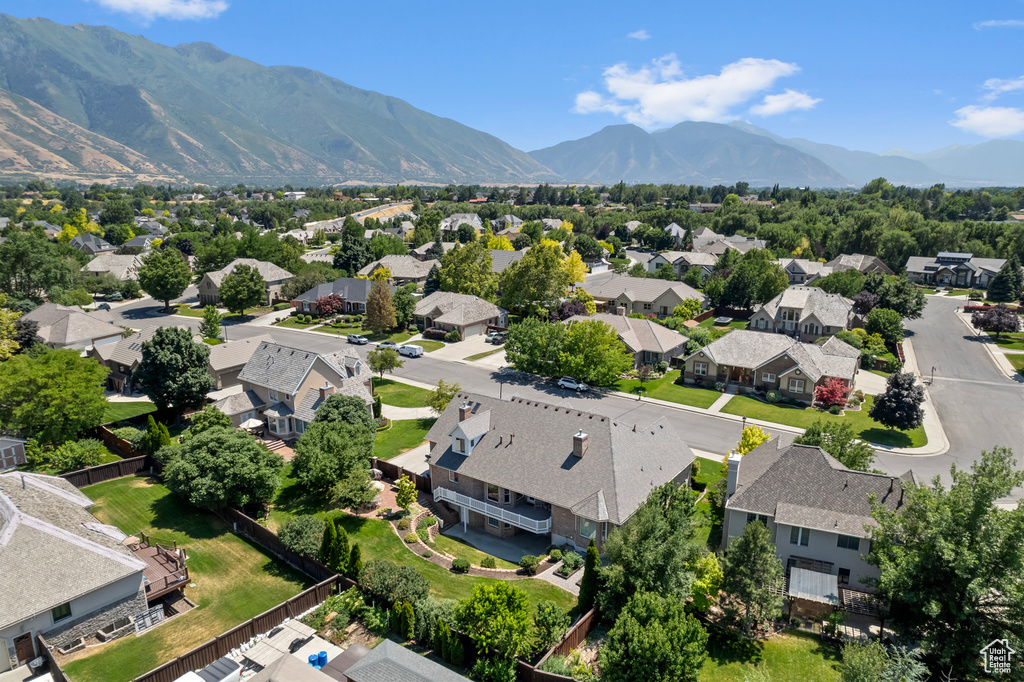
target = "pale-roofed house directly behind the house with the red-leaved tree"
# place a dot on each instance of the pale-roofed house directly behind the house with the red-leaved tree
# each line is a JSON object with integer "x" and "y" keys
{"x": 806, "y": 313}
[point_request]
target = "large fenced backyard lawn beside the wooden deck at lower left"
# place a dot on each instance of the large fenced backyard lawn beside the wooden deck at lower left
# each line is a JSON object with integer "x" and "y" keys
{"x": 235, "y": 581}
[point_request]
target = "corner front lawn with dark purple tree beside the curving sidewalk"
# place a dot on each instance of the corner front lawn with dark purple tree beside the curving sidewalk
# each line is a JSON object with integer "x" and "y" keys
{"x": 864, "y": 427}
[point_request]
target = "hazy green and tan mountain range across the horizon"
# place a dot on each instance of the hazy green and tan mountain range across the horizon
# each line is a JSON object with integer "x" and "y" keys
{"x": 92, "y": 104}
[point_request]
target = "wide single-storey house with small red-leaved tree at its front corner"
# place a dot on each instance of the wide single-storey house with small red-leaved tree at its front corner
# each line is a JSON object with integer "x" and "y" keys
{"x": 773, "y": 362}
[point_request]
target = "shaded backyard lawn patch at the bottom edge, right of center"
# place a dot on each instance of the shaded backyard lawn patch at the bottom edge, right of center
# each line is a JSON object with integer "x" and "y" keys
{"x": 795, "y": 656}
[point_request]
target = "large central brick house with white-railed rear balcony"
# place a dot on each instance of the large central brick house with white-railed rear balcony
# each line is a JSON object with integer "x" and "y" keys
{"x": 522, "y": 465}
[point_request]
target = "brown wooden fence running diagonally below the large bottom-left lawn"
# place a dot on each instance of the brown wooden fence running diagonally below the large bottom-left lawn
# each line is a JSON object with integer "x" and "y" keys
{"x": 221, "y": 647}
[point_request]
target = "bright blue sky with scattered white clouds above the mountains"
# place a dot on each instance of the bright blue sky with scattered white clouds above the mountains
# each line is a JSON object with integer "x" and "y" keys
{"x": 867, "y": 76}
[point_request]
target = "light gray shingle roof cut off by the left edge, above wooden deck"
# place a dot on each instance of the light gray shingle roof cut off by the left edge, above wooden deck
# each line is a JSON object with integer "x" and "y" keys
{"x": 41, "y": 526}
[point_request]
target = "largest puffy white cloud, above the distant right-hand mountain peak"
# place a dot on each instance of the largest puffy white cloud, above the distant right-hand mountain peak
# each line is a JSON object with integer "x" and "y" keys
{"x": 661, "y": 94}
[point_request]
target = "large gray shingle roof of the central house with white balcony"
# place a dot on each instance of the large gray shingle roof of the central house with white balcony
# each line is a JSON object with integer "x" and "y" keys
{"x": 529, "y": 449}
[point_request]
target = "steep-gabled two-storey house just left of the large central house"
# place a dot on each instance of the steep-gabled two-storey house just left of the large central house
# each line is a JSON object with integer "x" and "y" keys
{"x": 285, "y": 386}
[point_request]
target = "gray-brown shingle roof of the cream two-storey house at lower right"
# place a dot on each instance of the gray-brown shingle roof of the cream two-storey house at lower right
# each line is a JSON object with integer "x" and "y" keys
{"x": 804, "y": 486}
